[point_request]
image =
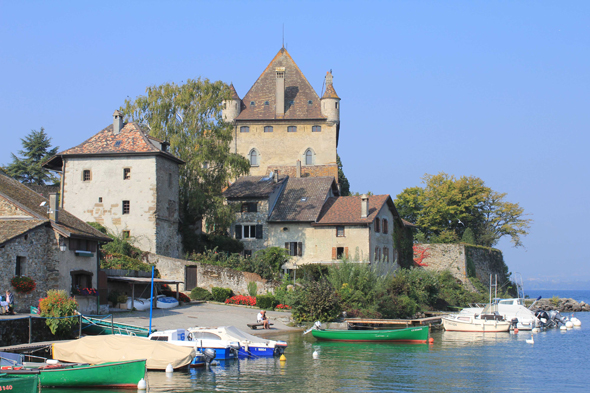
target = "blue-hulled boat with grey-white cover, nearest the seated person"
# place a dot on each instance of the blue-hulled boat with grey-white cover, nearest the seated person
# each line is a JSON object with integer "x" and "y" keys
{"x": 249, "y": 345}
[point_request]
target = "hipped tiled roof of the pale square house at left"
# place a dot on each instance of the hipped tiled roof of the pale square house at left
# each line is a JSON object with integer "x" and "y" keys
{"x": 131, "y": 139}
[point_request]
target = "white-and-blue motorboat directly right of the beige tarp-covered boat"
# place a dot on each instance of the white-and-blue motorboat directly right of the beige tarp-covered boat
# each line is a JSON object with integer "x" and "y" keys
{"x": 182, "y": 337}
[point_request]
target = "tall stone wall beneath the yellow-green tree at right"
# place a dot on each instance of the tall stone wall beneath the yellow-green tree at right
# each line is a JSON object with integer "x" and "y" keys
{"x": 464, "y": 261}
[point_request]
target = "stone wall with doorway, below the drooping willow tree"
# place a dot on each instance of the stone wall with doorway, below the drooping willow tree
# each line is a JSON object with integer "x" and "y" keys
{"x": 209, "y": 276}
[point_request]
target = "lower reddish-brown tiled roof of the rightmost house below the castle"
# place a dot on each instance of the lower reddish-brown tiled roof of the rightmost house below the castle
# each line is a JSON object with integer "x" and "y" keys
{"x": 347, "y": 210}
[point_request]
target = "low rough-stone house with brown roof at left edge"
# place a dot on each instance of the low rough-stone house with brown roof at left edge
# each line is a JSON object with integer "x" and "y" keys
{"x": 40, "y": 240}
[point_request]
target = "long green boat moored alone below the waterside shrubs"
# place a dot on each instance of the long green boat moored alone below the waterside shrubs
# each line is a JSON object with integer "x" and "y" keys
{"x": 409, "y": 335}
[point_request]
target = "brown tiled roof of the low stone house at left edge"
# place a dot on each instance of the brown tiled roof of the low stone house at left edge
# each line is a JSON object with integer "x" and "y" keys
{"x": 29, "y": 201}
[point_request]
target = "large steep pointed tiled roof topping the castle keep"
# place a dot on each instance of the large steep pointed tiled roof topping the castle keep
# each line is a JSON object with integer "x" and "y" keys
{"x": 305, "y": 101}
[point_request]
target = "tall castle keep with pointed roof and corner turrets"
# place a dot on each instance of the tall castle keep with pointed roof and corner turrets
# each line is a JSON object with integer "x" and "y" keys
{"x": 282, "y": 121}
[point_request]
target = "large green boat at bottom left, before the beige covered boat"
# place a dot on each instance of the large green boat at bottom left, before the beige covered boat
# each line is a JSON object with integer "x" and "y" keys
{"x": 104, "y": 375}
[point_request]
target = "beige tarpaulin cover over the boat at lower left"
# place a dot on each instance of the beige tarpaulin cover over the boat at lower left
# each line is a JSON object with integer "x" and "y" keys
{"x": 114, "y": 348}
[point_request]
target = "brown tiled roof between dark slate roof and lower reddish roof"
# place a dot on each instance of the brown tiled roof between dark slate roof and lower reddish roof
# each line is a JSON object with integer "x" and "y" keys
{"x": 302, "y": 199}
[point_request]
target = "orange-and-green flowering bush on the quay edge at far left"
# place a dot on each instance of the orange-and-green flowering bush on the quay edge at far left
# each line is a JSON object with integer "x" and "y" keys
{"x": 55, "y": 306}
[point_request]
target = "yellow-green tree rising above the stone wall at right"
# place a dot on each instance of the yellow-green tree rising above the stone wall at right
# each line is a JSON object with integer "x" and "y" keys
{"x": 445, "y": 207}
